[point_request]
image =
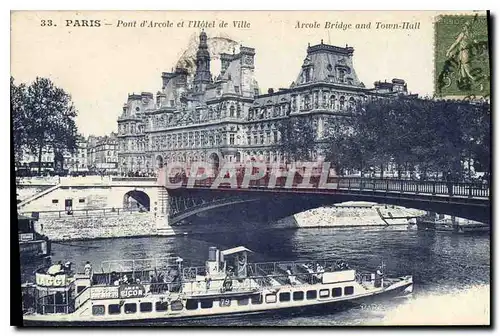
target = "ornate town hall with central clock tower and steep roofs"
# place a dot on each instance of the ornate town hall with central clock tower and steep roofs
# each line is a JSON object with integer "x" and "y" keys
{"x": 200, "y": 117}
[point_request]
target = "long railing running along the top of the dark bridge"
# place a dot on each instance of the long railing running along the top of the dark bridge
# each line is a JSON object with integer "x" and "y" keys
{"x": 352, "y": 183}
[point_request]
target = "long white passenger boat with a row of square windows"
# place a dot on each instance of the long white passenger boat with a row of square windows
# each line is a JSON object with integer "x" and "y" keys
{"x": 163, "y": 289}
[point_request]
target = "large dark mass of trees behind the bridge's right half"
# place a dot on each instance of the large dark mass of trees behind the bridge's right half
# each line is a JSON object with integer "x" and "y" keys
{"x": 422, "y": 134}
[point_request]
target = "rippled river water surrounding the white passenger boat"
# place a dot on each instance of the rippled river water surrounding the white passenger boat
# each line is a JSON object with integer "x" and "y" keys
{"x": 451, "y": 272}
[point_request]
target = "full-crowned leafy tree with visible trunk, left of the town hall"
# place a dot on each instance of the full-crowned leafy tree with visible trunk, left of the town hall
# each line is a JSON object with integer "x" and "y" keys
{"x": 50, "y": 119}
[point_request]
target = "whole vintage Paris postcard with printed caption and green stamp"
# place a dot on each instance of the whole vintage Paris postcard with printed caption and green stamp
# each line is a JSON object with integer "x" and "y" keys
{"x": 251, "y": 168}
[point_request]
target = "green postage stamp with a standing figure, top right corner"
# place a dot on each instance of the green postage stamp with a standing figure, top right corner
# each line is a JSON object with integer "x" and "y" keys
{"x": 461, "y": 62}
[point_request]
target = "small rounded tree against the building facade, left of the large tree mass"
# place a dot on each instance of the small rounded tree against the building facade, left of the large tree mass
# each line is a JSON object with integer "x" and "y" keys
{"x": 297, "y": 138}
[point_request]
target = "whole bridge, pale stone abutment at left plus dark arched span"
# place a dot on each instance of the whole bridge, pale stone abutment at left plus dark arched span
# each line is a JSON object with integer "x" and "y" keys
{"x": 161, "y": 209}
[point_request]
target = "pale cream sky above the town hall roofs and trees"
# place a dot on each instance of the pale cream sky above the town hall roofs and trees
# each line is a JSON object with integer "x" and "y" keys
{"x": 100, "y": 66}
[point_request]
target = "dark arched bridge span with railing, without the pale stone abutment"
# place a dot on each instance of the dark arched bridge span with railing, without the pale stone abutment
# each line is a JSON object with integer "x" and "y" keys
{"x": 467, "y": 200}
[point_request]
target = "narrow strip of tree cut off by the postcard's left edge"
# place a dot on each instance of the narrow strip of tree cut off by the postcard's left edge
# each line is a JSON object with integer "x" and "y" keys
{"x": 18, "y": 115}
